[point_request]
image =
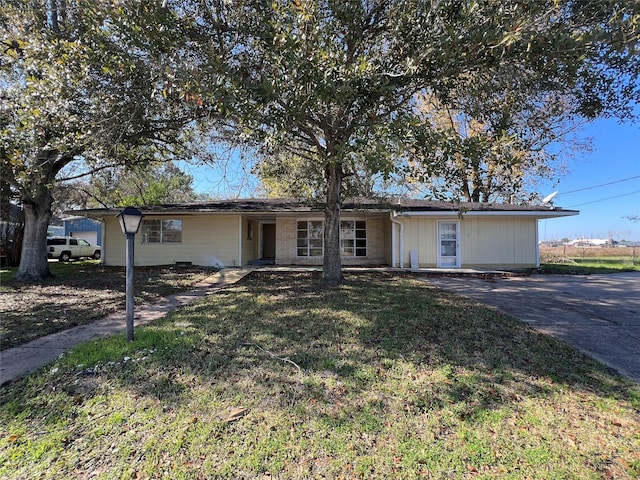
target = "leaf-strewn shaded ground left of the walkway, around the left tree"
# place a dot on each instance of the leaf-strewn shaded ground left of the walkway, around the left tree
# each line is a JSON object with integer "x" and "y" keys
{"x": 80, "y": 293}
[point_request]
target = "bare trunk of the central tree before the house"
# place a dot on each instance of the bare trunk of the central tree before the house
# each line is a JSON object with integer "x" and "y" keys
{"x": 332, "y": 267}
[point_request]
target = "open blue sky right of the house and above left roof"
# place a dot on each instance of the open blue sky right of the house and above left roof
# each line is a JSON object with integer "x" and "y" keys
{"x": 603, "y": 184}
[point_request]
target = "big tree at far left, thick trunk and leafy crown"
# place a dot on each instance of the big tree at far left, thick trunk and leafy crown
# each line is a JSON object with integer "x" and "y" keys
{"x": 83, "y": 88}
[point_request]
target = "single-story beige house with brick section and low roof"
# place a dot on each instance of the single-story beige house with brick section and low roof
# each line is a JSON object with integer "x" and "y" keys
{"x": 405, "y": 233}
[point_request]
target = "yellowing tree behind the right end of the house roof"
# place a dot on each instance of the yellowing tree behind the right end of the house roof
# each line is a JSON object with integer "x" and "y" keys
{"x": 481, "y": 155}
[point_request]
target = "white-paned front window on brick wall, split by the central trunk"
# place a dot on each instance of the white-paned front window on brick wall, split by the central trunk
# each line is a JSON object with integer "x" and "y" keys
{"x": 353, "y": 238}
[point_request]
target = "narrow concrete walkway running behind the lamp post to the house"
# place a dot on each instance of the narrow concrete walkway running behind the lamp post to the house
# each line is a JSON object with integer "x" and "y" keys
{"x": 18, "y": 361}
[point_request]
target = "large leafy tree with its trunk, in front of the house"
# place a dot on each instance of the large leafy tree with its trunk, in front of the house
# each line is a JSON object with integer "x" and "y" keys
{"x": 334, "y": 83}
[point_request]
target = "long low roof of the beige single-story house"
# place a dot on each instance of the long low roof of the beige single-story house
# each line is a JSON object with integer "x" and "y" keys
{"x": 399, "y": 207}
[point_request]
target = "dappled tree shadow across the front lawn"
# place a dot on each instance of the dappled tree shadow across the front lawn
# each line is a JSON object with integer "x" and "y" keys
{"x": 381, "y": 343}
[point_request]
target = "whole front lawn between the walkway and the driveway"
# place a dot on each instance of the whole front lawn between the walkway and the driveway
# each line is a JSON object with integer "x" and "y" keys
{"x": 385, "y": 377}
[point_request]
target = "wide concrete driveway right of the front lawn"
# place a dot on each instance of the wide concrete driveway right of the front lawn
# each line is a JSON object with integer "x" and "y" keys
{"x": 598, "y": 314}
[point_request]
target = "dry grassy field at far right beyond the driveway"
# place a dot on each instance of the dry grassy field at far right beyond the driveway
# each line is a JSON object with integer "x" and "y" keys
{"x": 585, "y": 260}
